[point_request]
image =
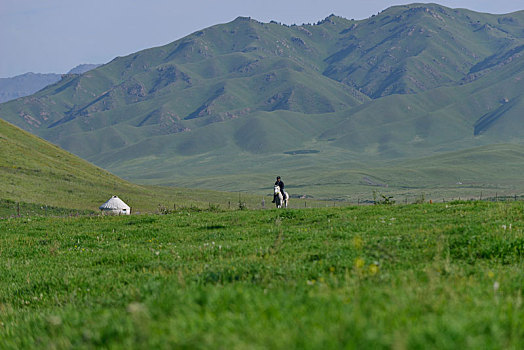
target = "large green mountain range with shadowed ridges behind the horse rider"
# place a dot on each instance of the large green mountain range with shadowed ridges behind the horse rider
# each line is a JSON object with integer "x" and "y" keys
{"x": 250, "y": 99}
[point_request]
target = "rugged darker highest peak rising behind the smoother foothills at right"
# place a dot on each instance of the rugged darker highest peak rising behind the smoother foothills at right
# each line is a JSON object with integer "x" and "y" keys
{"x": 418, "y": 47}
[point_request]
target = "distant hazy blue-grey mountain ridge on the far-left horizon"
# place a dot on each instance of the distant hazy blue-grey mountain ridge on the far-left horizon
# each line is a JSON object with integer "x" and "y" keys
{"x": 29, "y": 83}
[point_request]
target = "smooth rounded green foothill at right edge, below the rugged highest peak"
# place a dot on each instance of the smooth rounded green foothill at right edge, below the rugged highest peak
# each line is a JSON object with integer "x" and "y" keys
{"x": 484, "y": 111}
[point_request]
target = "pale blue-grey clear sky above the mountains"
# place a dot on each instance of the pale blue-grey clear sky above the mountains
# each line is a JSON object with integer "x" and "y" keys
{"x": 53, "y": 36}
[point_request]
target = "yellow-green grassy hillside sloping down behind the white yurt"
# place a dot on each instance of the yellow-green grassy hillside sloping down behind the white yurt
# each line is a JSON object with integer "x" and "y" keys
{"x": 33, "y": 171}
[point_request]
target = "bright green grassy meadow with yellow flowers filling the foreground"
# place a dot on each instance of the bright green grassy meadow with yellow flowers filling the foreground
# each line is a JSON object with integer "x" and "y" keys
{"x": 443, "y": 276}
